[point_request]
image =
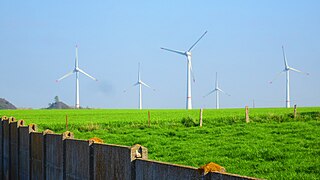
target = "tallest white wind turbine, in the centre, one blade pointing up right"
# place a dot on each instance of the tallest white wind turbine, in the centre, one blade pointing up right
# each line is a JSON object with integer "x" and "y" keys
{"x": 189, "y": 69}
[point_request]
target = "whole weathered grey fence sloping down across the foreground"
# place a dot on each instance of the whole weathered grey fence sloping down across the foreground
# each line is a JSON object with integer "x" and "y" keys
{"x": 28, "y": 154}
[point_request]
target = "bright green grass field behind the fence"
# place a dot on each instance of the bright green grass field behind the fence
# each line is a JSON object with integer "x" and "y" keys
{"x": 273, "y": 145}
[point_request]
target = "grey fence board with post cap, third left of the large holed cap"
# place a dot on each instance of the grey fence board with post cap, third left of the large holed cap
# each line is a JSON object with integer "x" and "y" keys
{"x": 54, "y": 155}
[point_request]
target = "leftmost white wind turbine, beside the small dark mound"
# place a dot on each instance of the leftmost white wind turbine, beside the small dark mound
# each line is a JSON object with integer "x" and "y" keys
{"x": 76, "y": 70}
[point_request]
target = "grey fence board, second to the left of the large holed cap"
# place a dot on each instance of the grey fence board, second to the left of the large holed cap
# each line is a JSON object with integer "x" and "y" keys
{"x": 77, "y": 159}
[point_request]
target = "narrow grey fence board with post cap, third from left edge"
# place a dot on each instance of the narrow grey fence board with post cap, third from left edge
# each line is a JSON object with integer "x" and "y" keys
{"x": 14, "y": 148}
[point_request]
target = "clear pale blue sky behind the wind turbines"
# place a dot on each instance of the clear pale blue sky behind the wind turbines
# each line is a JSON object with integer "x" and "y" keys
{"x": 243, "y": 44}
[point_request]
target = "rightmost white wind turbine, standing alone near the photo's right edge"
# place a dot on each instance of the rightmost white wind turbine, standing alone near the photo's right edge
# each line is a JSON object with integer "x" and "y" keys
{"x": 287, "y": 69}
